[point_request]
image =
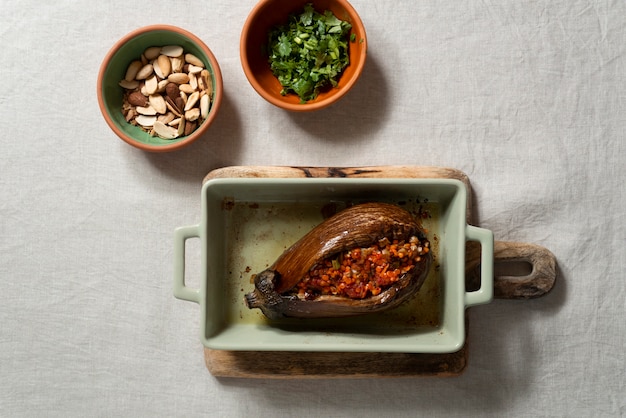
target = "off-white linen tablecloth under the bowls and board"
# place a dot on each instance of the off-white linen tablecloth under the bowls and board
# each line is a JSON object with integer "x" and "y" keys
{"x": 526, "y": 97}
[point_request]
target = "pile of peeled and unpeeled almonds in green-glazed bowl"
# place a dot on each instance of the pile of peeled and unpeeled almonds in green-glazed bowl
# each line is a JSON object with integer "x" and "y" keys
{"x": 167, "y": 92}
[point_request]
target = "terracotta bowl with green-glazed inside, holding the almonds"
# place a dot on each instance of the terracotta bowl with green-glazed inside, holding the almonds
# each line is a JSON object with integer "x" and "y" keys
{"x": 113, "y": 69}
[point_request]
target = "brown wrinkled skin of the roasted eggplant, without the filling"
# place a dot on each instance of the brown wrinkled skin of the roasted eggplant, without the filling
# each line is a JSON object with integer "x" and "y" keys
{"x": 357, "y": 226}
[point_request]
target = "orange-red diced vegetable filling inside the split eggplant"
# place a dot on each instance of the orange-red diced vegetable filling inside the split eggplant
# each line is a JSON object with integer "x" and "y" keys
{"x": 362, "y": 272}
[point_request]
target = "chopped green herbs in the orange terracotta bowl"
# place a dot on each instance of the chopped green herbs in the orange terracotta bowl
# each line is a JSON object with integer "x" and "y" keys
{"x": 309, "y": 52}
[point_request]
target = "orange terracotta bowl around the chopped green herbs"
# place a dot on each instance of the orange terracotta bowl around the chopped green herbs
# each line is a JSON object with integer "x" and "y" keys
{"x": 254, "y": 59}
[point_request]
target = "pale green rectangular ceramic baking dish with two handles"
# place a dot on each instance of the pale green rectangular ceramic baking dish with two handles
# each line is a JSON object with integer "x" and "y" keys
{"x": 247, "y": 223}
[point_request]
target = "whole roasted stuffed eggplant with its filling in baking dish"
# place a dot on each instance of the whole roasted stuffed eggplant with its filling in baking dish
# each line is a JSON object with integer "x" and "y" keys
{"x": 366, "y": 258}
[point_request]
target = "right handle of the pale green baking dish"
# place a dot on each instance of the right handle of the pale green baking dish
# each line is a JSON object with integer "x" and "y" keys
{"x": 485, "y": 293}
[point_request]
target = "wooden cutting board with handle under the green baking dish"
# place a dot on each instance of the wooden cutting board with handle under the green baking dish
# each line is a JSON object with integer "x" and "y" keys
{"x": 540, "y": 279}
